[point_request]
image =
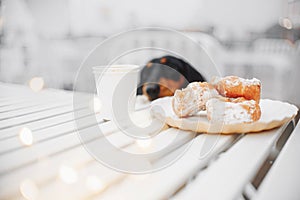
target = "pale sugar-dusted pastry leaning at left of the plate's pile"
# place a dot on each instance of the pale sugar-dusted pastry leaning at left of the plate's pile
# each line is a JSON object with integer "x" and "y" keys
{"x": 193, "y": 98}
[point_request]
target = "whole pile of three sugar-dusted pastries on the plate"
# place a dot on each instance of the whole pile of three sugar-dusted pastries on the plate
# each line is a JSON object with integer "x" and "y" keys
{"x": 227, "y": 100}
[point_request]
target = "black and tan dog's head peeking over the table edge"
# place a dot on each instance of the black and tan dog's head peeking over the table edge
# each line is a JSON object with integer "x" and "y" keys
{"x": 162, "y": 76}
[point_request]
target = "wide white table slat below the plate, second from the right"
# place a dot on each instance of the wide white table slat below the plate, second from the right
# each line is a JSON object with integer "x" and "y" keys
{"x": 227, "y": 177}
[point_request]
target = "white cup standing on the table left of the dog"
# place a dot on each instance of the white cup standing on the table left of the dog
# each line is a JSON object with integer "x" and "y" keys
{"x": 116, "y": 89}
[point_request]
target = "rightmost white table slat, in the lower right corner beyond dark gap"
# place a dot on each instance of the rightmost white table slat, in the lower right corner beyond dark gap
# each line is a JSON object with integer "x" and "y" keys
{"x": 282, "y": 182}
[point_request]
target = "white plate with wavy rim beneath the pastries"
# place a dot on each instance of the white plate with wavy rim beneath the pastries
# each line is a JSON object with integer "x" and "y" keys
{"x": 274, "y": 114}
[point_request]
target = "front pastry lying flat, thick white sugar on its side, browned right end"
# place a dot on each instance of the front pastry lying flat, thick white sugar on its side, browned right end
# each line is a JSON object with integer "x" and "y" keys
{"x": 230, "y": 111}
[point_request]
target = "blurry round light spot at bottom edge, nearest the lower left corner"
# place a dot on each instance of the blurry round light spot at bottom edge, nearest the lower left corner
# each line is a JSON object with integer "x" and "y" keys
{"x": 29, "y": 189}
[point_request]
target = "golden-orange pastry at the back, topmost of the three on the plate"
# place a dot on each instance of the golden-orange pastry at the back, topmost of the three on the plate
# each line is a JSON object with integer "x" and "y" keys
{"x": 234, "y": 87}
